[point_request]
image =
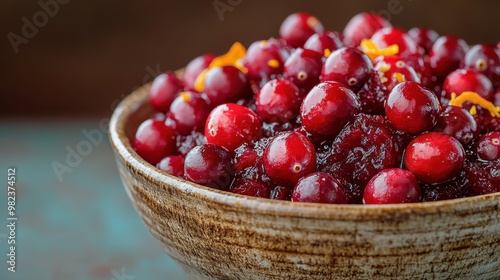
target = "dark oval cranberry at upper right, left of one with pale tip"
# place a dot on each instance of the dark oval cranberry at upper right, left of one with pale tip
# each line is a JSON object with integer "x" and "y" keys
{"x": 446, "y": 55}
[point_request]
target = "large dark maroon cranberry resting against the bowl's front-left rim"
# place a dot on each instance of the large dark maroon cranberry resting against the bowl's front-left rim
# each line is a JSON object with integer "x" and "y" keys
{"x": 209, "y": 165}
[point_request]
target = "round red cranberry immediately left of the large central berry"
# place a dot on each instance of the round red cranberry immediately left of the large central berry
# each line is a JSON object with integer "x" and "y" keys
{"x": 278, "y": 101}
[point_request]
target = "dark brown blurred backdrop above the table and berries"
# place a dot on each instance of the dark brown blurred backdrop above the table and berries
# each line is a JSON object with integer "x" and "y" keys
{"x": 92, "y": 53}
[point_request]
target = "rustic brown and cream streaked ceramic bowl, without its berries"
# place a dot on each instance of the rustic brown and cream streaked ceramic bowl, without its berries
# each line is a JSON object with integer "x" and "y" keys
{"x": 218, "y": 235}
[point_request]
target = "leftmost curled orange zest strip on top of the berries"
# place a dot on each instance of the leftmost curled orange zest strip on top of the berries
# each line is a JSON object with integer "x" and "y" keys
{"x": 233, "y": 57}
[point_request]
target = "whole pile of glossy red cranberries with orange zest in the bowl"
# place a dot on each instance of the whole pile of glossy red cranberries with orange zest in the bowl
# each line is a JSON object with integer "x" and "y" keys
{"x": 372, "y": 115}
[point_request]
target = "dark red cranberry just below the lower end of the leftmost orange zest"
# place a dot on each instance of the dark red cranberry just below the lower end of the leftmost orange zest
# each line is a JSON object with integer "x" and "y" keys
{"x": 189, "y": 112}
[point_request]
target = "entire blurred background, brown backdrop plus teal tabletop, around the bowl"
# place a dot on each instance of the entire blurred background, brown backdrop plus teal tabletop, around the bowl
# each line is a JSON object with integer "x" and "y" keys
{"x": 65, "y": 64}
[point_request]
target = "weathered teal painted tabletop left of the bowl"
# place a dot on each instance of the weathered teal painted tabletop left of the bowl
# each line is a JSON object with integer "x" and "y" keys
{"x": 81, "y": 228}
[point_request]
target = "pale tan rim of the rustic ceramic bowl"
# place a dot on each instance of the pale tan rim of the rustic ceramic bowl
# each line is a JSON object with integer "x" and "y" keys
{"x": 123, "y": 149}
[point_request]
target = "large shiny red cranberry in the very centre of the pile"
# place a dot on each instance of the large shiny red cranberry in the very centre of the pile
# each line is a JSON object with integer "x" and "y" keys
{"x": 328, "y": 108}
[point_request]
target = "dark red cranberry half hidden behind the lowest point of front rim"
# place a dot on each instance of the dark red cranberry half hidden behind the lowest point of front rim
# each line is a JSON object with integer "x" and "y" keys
{"x": 319, "y": 187}
